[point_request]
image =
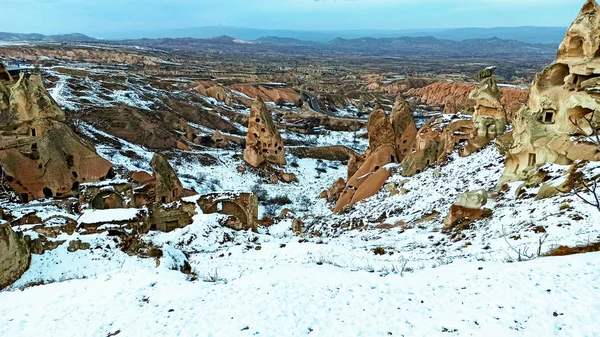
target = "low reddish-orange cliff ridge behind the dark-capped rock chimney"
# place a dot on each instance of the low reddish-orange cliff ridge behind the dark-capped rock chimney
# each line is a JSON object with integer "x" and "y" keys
{"x": 455, "y": 96}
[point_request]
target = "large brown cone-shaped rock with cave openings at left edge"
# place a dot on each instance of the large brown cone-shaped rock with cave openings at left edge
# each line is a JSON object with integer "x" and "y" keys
{"x": 40, "y": 155}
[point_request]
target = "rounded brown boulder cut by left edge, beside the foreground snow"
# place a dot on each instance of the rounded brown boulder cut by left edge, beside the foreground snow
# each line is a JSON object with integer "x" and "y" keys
{"x": 15, "y": 256}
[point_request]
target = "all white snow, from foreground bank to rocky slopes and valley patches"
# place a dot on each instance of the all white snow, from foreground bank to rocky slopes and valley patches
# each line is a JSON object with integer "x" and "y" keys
{"x": 327, "y": 281}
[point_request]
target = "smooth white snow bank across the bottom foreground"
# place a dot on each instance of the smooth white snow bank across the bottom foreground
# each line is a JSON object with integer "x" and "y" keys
{"x": 539, "y": 298}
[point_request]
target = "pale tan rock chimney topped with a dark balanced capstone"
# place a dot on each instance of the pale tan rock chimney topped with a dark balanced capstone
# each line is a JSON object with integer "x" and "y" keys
{"x": 489, "y": 116}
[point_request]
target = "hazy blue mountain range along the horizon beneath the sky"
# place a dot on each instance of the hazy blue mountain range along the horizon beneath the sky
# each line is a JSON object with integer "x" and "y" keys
{"x": 549, "y": 35}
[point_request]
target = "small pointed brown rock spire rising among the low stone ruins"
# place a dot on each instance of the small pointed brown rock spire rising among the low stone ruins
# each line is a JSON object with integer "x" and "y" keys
{"x": 167, "y": 186}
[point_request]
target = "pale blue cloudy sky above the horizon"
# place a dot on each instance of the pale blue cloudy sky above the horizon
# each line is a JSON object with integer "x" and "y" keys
{"x": 97, "y": 16}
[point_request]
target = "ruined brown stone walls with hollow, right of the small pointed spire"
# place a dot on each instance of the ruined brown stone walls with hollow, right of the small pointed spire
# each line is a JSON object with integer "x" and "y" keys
{"x": 241, "y": 207}
